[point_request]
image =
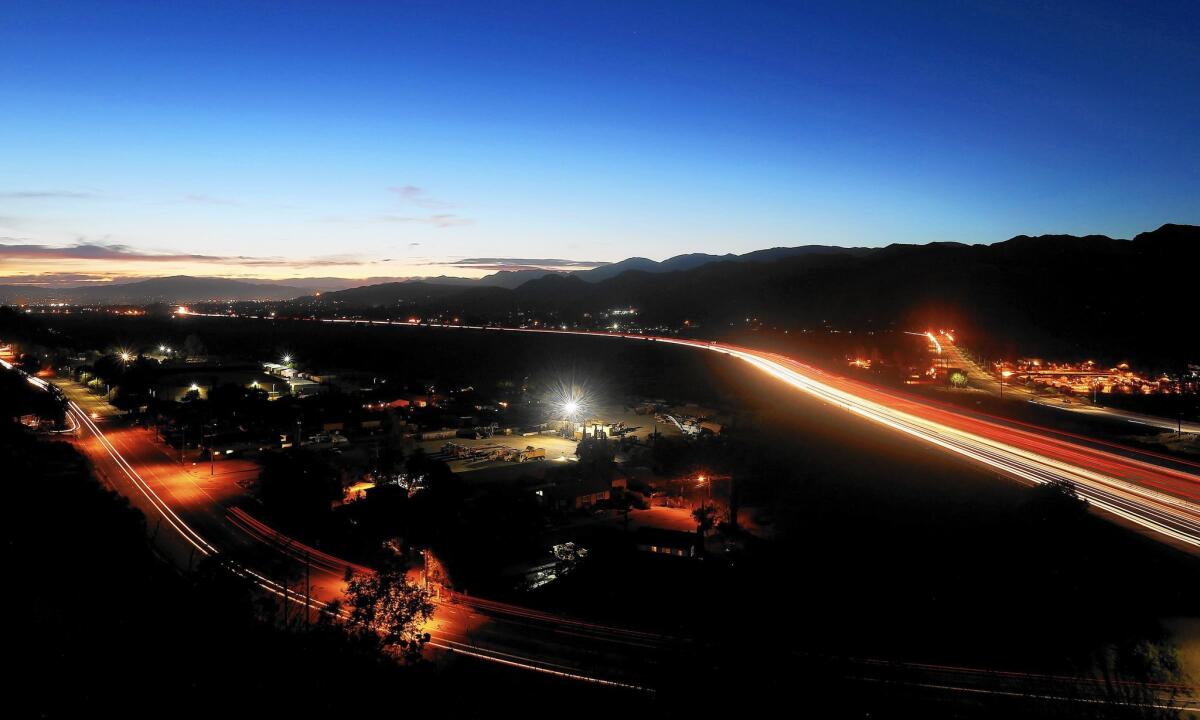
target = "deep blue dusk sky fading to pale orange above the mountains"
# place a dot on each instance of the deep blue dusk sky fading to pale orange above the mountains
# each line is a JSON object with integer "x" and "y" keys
{"x": 376, "y": 141}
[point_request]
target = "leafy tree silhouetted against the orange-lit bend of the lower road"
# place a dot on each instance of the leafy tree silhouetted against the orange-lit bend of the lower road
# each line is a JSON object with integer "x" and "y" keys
{"x": 386, "y": 607}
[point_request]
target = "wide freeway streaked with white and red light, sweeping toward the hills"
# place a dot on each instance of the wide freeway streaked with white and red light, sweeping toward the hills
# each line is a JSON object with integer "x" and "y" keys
{"x": 1139, "y": 489}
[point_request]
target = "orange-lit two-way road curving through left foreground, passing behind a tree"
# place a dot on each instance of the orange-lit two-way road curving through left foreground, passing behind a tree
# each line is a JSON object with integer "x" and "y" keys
{"x": 195, "y": 514}
